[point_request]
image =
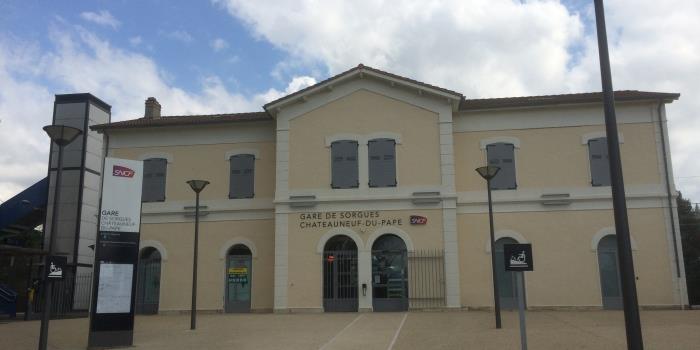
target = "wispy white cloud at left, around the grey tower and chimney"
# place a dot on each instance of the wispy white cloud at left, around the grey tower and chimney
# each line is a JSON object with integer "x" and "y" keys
{"x": 84, "y": 62}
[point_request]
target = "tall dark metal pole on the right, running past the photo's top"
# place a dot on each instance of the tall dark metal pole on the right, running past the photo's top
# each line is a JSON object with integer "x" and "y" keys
{"x": 629, "y": 289}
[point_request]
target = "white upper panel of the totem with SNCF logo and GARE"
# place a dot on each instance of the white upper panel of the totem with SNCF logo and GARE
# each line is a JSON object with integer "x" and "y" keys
{"x": 121, "y": 195}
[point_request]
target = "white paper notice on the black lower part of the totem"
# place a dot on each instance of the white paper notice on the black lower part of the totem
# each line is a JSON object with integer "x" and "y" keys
{"x": 114, "y": 288}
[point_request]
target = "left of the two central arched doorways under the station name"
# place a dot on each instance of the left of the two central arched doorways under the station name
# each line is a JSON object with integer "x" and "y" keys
{"x": 340, "y": 274}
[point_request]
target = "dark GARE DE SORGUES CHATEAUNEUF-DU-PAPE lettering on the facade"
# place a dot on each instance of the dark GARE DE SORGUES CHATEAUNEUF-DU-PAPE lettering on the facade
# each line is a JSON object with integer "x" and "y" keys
{"x": 350, "y": 219}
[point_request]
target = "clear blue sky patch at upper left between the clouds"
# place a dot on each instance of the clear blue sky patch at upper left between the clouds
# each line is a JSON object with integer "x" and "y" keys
{"x": 177, "y": 34}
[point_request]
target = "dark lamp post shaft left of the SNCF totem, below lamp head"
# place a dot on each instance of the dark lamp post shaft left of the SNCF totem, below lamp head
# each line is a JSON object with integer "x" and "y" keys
{"x": 48, "y": 285}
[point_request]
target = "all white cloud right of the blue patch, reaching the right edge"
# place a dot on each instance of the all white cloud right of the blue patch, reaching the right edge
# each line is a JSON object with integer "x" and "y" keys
{"x": 496, "y": 48}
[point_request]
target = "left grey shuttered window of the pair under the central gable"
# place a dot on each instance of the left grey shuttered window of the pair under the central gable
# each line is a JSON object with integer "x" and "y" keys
{"x": 344, "y": 173}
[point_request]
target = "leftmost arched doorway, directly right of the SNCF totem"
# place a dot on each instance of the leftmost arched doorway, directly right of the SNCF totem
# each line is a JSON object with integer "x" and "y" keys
{"x": 148, "y": 281}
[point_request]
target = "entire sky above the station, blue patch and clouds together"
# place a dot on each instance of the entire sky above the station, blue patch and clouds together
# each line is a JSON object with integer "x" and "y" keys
{"x": 223, "y": 56}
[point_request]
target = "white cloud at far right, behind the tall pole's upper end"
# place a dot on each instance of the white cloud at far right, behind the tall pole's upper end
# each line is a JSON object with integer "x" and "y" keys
{"x": 657, "y": 51}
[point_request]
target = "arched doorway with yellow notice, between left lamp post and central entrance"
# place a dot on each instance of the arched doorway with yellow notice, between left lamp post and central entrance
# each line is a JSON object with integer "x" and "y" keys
{"x": 239, "y": 264}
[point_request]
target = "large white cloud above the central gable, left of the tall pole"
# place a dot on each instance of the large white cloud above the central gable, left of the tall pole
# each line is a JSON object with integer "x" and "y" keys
{"x": 480, "y": 47}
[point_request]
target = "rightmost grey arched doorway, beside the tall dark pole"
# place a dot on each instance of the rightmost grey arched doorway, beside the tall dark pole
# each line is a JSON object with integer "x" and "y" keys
{"x": 609, "y": 273}
